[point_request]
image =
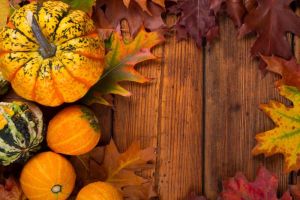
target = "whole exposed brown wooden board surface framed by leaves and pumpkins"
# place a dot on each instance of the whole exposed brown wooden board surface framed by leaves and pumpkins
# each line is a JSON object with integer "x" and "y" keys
{"x": 201, "y": 112}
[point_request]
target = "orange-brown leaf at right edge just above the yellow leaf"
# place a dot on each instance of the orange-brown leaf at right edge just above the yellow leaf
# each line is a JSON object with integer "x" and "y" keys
{"x": 288, "y": 69}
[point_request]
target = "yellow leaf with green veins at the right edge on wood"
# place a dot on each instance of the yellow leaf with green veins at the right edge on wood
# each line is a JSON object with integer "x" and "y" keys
{"x": 285, "y": 137}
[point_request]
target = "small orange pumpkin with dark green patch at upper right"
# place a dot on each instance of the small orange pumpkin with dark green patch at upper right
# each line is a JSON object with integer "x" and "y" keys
{"x": 73, "y": 131}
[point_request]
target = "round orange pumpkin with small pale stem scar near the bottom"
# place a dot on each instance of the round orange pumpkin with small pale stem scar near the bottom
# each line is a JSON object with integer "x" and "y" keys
{"x": 48, "y": 176}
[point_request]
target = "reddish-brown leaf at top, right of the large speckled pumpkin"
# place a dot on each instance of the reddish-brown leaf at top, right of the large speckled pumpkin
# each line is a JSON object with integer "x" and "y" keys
{"x": 109, "y": 14}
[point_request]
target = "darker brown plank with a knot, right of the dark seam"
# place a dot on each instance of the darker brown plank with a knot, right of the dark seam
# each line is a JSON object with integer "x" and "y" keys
{"x": 234, "y": 89}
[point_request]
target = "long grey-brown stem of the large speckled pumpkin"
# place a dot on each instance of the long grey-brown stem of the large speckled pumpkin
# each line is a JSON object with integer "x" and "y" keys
{"x": 47, "y": 50}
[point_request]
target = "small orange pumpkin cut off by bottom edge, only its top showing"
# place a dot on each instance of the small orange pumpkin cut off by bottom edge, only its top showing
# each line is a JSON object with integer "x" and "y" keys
{"x": 99, "y": 191}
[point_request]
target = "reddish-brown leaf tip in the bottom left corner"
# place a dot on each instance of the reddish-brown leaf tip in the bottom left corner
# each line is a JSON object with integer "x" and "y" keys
{"x": 11, "y": 190}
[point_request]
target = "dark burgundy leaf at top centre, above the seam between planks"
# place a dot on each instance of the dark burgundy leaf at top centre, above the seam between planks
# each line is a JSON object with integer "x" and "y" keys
{"x": 195, "y": 21}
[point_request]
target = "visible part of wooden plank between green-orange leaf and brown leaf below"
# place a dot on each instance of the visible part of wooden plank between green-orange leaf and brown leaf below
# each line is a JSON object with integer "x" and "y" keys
{"x": 136, "y": 118}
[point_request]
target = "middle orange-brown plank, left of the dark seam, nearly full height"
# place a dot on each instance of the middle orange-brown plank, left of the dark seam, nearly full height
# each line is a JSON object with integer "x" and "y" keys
{"x": 180, "y": 122}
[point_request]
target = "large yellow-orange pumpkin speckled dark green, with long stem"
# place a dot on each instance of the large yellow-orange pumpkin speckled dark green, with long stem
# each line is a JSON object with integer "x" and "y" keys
{"x": 50, "y": 53}
